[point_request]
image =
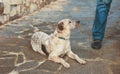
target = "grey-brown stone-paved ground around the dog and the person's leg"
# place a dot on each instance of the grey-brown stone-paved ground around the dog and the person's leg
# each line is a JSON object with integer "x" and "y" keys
{"x": 17, "y": 56}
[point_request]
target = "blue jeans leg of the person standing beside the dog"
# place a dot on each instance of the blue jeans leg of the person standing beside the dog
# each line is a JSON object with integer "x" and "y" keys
{"x": 102, "y": 10}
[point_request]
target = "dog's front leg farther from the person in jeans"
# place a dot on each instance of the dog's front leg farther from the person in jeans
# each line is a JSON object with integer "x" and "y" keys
{"x": 59, "y": 60}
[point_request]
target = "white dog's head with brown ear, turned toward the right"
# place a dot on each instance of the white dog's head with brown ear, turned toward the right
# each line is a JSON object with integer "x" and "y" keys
{"x": 67, "y": 24}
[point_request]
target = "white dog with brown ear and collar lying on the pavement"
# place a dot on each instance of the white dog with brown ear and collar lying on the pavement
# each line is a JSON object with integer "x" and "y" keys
{"x": 58, "y": 43}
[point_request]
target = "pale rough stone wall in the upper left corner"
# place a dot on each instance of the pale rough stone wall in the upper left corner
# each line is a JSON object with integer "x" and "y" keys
{"x": 13, "y": 9}
